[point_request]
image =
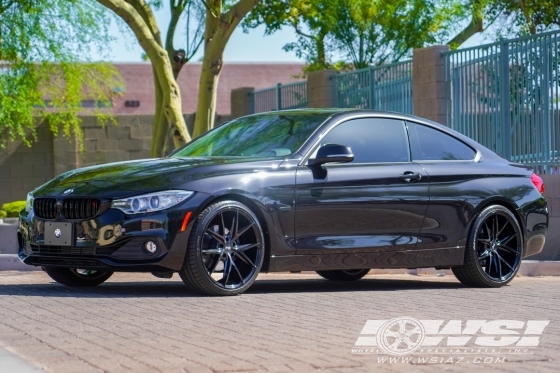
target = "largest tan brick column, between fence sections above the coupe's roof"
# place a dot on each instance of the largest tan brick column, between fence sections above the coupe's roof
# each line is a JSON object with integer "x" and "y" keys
{"x": 428, "y": 83}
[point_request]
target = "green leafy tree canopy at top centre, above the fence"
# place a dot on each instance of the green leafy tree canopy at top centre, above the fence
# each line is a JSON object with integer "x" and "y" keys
{"x": 361, "y": 31}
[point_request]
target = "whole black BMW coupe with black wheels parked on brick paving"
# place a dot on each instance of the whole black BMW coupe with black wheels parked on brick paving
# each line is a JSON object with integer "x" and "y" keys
{"x": 333, "y": 191}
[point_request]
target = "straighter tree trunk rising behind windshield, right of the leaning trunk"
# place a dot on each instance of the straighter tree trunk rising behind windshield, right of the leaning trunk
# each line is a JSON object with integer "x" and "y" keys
{"x": 222, "y": 17}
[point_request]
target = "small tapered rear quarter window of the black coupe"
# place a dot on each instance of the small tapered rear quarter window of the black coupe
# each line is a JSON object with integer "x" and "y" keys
{"x": 428, "y": 144}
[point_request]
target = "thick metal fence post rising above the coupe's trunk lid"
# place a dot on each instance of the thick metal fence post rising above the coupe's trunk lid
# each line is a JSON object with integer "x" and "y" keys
{"x": 505, "y": 109}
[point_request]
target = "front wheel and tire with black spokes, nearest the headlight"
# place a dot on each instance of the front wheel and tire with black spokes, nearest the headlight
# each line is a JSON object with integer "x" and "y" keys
{"x": 225, "y": 251}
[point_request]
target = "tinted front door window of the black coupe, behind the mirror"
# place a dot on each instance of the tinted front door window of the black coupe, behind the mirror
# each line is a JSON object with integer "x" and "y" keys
{"x": 372, "y": 139}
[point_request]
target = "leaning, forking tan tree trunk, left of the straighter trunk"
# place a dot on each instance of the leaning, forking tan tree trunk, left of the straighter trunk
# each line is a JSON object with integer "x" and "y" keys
{"x": 169, "y": 129}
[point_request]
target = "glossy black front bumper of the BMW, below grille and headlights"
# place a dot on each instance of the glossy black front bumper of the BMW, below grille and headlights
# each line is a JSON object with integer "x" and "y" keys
{"x": 112, "y": 240}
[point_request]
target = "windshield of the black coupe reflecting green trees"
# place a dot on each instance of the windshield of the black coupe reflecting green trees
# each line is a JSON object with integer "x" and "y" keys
{"x": 266, "y": 135}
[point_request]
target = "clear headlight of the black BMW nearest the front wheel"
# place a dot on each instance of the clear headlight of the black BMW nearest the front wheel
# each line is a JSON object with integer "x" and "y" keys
{"x": 151, "y": 202}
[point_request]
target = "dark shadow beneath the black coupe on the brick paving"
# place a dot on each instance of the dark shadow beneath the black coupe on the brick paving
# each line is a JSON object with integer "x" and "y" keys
{"x": 176, "y": 289}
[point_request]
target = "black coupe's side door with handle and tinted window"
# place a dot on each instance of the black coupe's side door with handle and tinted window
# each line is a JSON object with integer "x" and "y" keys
{"x": 375, "y": 203}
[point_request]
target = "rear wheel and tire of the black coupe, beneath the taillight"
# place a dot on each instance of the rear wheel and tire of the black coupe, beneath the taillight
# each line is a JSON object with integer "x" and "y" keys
{"x": 493, "y": 251}
